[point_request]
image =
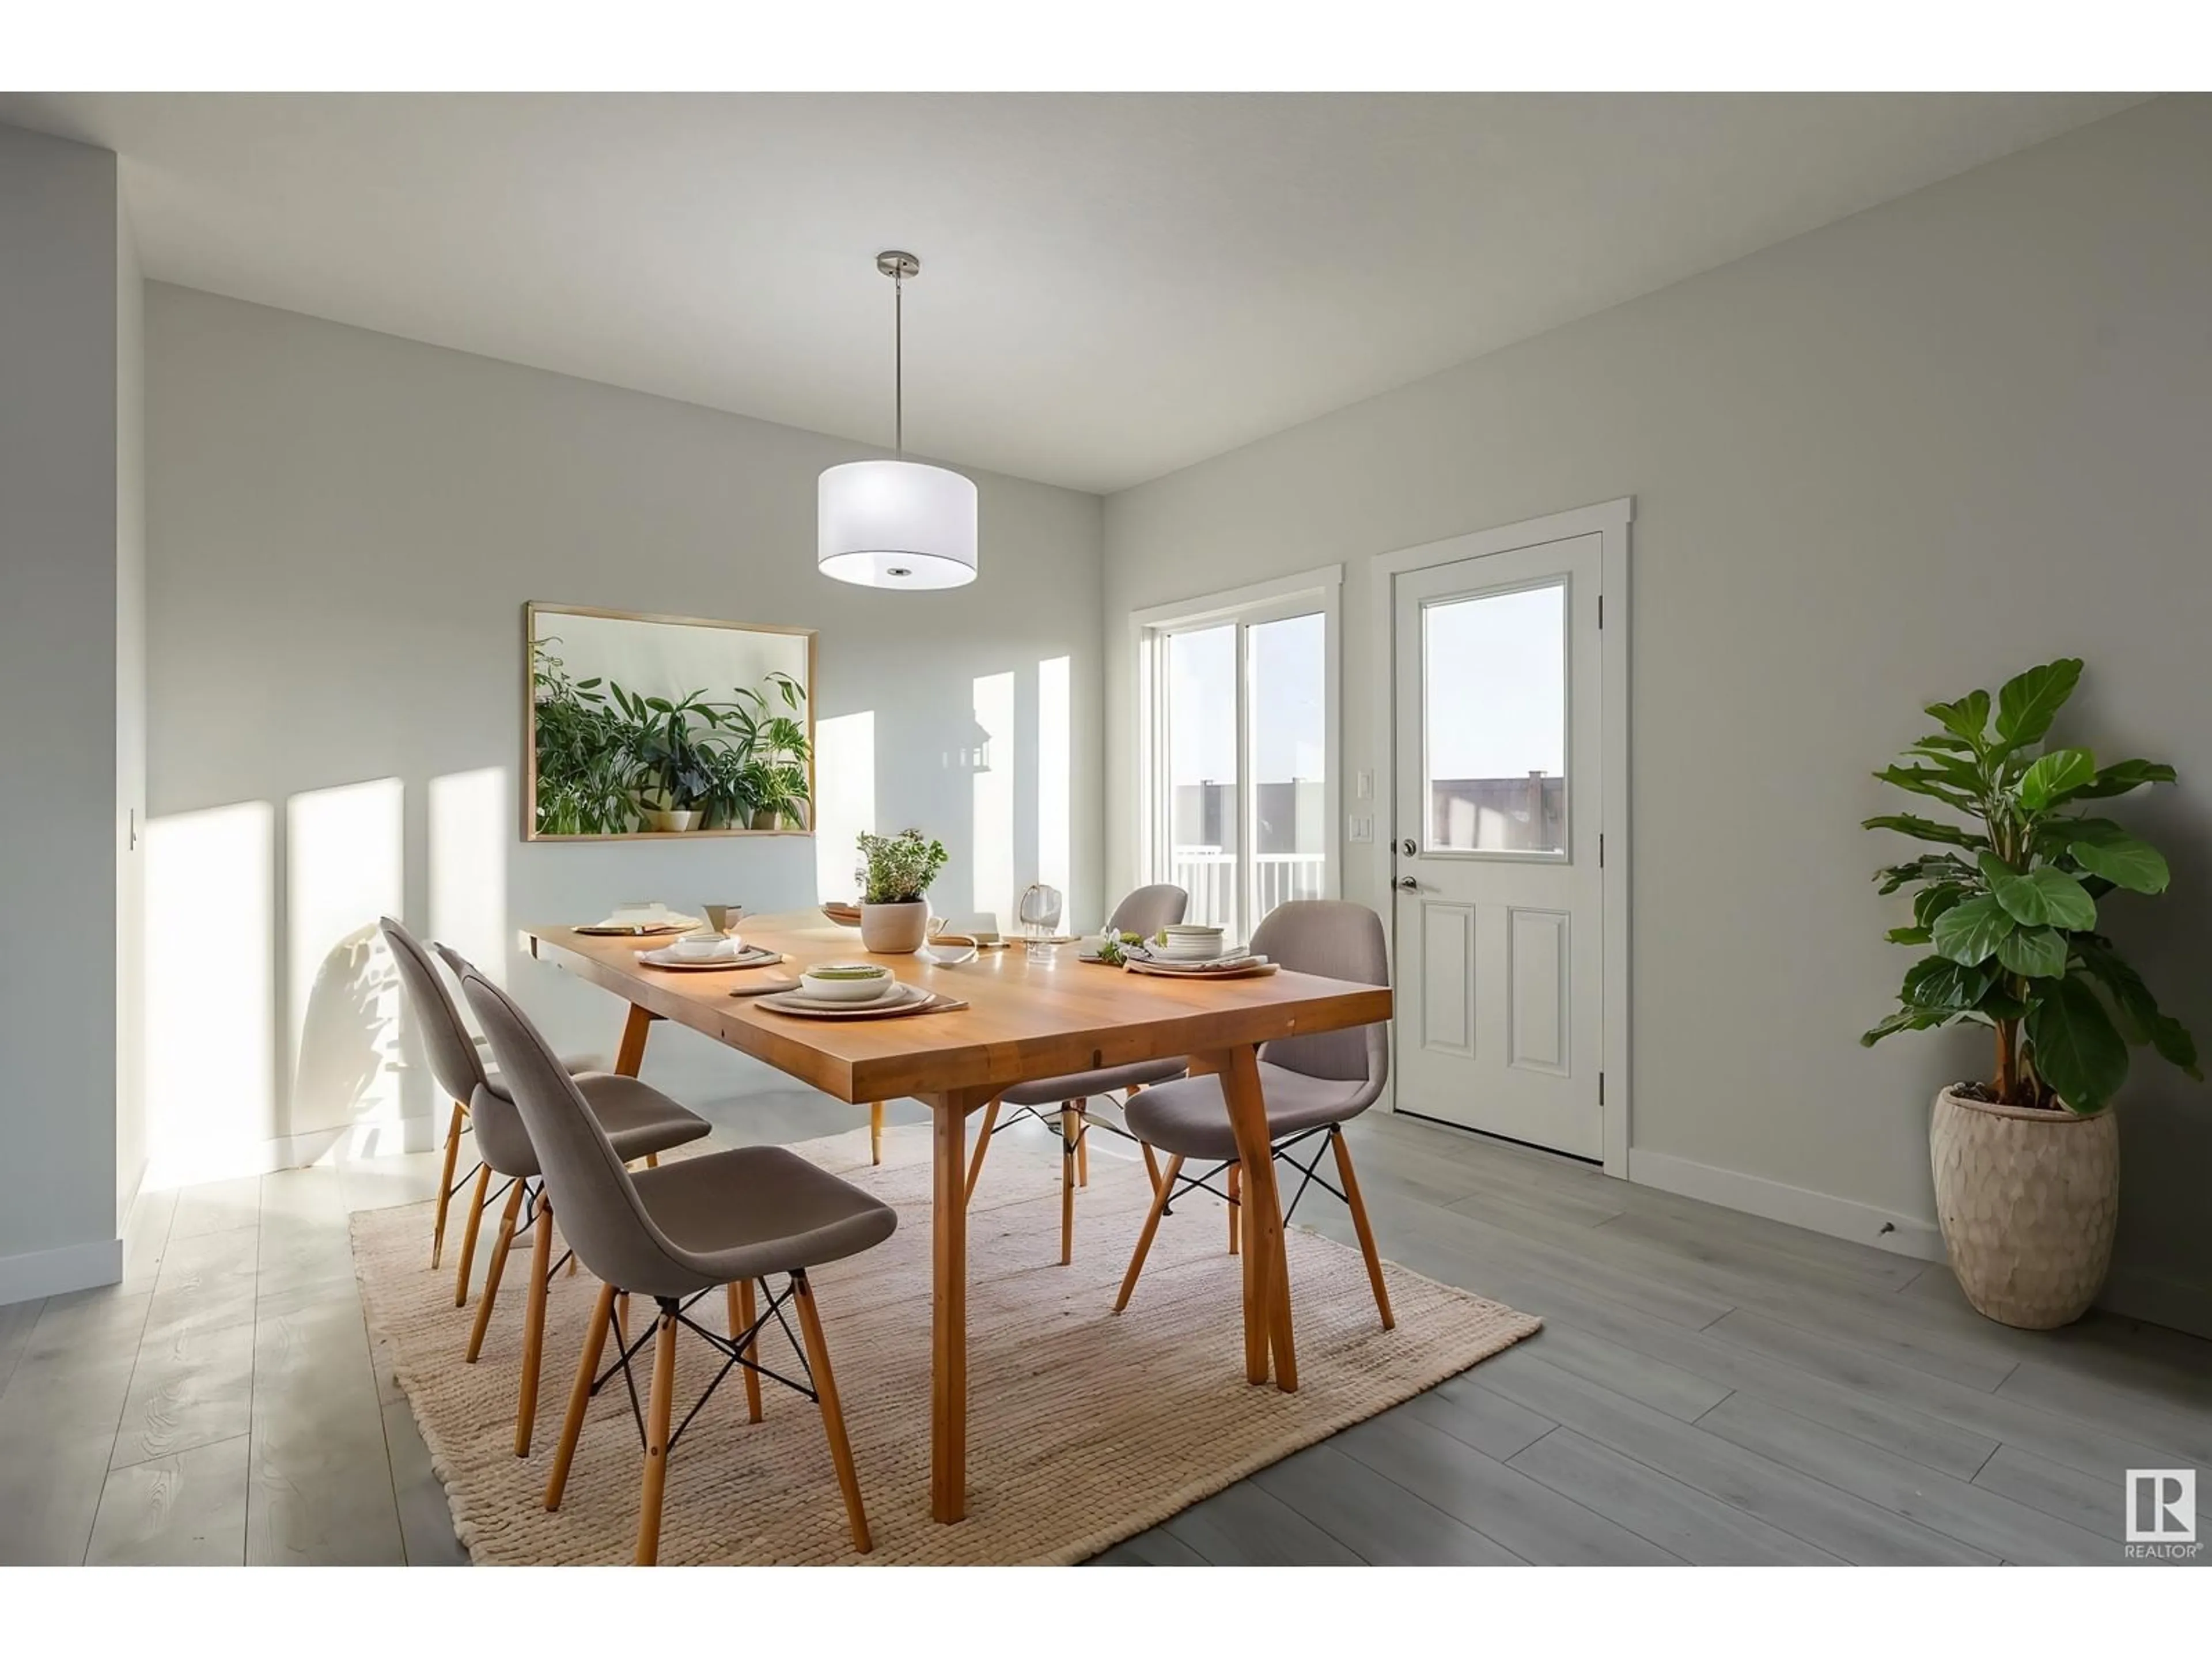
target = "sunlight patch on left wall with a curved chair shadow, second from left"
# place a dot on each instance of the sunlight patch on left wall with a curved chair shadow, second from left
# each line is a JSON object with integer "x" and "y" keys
{"x": 344, "y": 868}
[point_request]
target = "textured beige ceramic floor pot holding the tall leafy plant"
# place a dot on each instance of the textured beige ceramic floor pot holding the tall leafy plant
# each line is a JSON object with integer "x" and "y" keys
{"x": 2027, "y": 1202}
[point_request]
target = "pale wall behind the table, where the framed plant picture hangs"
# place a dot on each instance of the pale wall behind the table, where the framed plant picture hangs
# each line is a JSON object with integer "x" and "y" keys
{"x": 344, "y": 530}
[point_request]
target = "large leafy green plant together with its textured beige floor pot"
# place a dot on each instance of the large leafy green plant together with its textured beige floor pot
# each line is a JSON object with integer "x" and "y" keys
{"x": 2010, "y": 912}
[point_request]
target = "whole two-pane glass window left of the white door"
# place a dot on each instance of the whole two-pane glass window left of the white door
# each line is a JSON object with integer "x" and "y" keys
{"x": 1240, "y": 789}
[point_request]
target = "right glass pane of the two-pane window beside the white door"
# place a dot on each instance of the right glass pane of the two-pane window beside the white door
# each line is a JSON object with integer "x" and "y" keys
{"x": 1288, "y": 760}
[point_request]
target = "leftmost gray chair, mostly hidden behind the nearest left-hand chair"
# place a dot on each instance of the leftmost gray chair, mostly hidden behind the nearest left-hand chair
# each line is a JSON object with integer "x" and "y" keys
{"x": 640, "y": 1120}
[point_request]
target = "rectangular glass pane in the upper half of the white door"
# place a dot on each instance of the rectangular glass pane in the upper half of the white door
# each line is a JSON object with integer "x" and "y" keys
{"x": 1494, "y": 722}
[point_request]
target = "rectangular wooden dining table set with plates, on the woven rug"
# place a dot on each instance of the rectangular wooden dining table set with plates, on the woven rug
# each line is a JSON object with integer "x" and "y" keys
{"x": 1023, "y": 1021}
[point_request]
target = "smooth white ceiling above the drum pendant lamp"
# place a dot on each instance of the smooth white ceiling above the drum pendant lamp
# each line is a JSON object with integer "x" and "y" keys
{"x": 1114, "y": 286}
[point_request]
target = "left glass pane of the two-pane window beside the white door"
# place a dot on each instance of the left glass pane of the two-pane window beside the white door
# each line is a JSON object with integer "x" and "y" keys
{"x": 1202, "y": 771}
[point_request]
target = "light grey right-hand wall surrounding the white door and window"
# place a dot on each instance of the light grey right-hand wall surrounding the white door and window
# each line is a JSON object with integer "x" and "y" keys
{"x": 1884, "y": 463}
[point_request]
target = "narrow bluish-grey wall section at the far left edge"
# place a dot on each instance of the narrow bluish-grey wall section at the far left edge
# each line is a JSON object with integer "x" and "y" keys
{"x": 59, "y": 744}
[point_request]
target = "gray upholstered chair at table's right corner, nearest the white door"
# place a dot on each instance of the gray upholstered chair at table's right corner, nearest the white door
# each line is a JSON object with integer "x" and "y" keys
{"x": 1313, "y": 1085}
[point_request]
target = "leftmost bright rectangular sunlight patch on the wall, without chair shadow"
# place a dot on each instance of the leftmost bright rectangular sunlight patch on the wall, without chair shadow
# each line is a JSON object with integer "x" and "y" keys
{"x": 211, "y": 988}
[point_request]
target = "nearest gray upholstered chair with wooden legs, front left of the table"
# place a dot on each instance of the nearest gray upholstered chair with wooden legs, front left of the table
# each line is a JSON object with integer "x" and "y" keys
{"x": 724, "y": 1220}
